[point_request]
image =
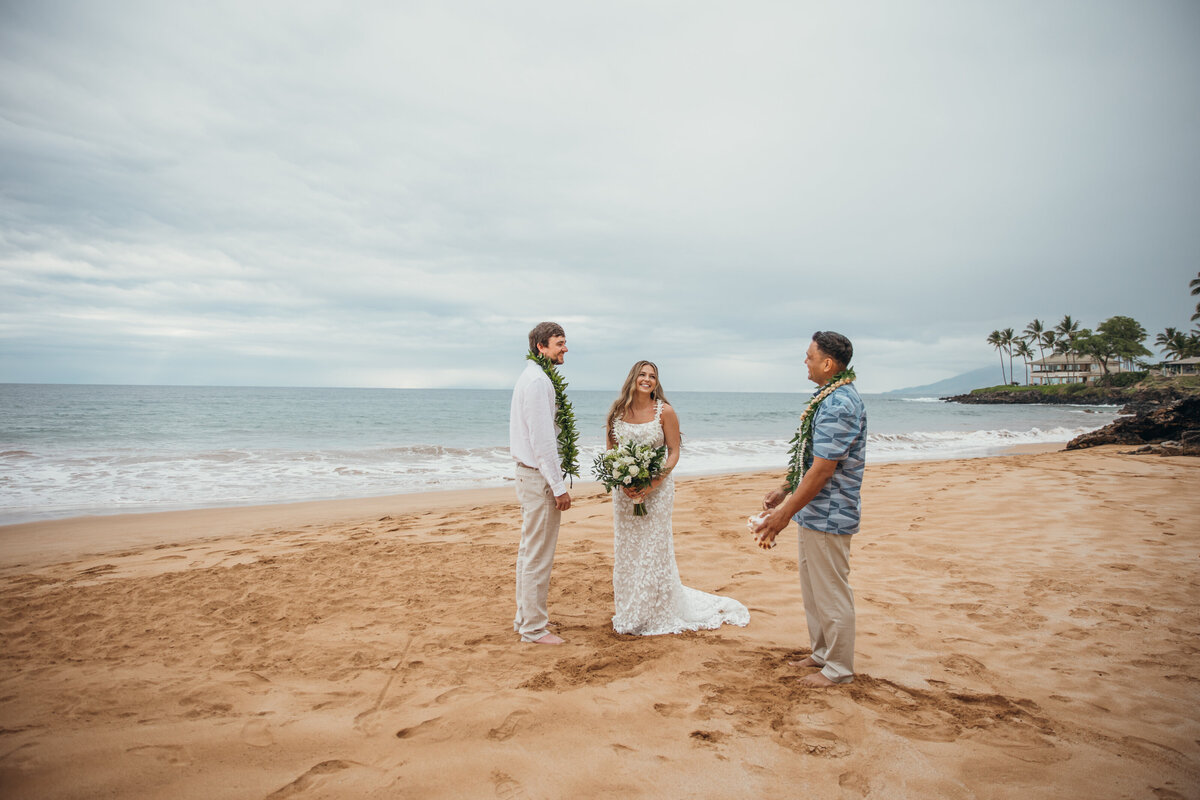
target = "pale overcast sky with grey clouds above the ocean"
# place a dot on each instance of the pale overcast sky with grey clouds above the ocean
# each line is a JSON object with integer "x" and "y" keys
{"x": 393, "y": 194}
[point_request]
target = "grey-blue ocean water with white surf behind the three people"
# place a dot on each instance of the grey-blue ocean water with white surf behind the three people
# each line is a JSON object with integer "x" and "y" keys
{"x": 70, "y": 450}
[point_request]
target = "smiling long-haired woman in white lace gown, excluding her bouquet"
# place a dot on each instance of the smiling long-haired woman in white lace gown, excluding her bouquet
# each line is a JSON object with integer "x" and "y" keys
{"x": 647, "y": 592}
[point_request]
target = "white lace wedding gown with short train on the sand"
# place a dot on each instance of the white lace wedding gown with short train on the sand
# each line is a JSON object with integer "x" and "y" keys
{"x": 646, "y": 587}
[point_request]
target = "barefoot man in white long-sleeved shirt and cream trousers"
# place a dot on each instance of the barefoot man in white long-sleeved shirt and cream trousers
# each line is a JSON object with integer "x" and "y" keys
{"x": 542, "y": 491}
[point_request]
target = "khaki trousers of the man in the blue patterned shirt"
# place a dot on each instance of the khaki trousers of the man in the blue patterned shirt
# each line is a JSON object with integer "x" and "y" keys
{"x": 829, "y": 603}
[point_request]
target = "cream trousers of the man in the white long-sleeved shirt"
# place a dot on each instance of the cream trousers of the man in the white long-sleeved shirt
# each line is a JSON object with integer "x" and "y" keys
{"x": 539, "y": 536}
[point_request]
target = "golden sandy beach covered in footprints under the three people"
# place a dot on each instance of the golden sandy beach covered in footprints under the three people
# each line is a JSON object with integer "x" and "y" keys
{"x": 1029, "y": 627}
